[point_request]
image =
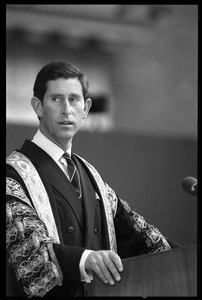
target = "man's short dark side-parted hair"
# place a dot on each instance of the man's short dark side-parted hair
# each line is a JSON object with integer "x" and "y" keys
{"x": 55, "y": 70}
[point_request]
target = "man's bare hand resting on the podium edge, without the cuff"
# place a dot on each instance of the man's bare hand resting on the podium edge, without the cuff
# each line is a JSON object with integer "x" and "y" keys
{"x": 106, "y": 264}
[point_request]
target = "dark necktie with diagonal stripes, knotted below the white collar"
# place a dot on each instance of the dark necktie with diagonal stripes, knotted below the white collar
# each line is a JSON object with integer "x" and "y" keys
{"x": 73, "y": 174}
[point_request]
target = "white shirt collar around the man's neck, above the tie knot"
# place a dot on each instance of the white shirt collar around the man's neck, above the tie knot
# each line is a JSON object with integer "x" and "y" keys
{"x": 48, "y": 146}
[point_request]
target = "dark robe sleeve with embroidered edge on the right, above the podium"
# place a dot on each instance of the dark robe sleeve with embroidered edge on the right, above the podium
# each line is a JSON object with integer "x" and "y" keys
{"x": 134, "y": 235}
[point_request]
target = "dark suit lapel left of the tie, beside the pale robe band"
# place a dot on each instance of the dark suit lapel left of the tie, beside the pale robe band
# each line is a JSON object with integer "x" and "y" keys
{"x": 55, "y": 176}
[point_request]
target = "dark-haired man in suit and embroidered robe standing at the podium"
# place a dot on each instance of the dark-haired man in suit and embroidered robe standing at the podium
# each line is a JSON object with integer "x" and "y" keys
{"x": 63, "y": 227}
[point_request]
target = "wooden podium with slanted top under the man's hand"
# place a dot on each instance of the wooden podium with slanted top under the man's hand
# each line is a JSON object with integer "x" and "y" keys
{"x": 167, "y": 273}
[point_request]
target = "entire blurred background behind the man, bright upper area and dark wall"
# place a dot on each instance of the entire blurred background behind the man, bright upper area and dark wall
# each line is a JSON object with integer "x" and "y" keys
{"x": 141, "y": 62}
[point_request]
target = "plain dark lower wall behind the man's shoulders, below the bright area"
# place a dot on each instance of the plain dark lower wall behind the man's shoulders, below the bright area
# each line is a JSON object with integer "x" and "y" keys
{"x": 145, "y": 171}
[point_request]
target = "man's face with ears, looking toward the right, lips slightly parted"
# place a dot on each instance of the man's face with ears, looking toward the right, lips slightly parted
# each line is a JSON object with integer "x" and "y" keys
{"x": 63, "y": 110}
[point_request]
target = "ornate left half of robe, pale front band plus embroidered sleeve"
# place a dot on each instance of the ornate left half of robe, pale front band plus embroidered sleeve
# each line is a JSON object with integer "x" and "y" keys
{"x": 33, "y": 258}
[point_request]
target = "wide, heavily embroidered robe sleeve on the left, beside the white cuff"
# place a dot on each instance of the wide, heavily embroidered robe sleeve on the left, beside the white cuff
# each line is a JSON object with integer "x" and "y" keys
{"x": 29, "y": 248}
